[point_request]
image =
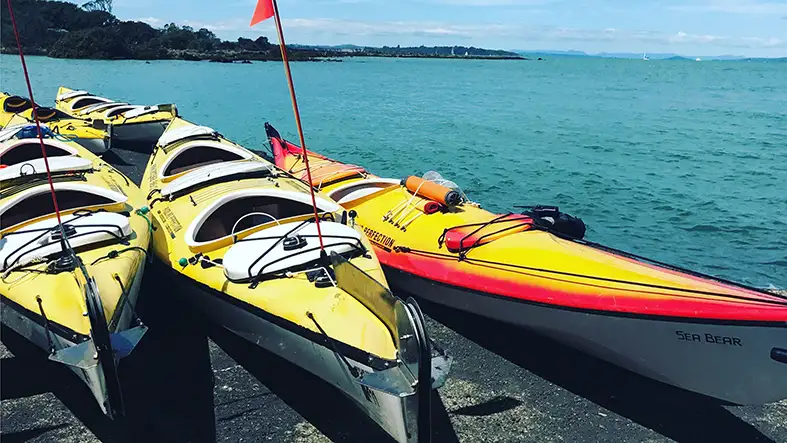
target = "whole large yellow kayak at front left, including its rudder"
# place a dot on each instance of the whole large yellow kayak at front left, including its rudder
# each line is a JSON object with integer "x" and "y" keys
{"x": 73, "y": 298}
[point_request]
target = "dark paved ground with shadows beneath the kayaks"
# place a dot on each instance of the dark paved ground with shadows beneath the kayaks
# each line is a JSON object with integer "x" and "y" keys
{"x": 188, "y": 382}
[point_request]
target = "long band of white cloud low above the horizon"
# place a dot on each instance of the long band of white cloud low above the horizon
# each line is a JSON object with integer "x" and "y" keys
{"x": 325, "y": 30}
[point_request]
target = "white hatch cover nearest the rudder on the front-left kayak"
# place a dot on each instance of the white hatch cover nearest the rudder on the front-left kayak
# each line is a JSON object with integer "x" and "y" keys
{"x": 87, "y": 229}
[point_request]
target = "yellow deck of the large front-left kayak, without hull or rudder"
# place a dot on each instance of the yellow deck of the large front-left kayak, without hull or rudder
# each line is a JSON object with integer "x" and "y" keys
{"x": 62, "y": 297}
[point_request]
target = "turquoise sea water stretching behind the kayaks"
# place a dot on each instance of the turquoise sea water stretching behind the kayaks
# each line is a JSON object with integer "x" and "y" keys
{"x": 683, "y": 162}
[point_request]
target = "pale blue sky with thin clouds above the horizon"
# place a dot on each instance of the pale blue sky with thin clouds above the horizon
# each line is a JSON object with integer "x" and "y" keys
{"x": 756, "y": 28}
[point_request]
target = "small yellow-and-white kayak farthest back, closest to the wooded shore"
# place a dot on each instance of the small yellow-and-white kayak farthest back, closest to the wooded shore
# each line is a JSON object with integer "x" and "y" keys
{"x": 129, "y": 123}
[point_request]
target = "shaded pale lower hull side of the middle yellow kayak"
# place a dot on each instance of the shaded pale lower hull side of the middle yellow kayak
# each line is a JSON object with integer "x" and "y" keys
{"x": 387, "y": 410}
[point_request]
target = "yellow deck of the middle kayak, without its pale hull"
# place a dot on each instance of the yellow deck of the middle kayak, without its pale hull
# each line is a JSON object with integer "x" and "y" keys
{"x": 291, "y": 298}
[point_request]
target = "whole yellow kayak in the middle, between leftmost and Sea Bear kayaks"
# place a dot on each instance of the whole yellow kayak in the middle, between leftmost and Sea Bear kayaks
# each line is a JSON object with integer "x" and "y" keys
{"x": 241, "y": 238}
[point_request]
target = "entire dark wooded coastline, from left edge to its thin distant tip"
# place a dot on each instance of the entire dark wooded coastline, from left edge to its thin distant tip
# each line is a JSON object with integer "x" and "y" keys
{"x": 90, "y": 31}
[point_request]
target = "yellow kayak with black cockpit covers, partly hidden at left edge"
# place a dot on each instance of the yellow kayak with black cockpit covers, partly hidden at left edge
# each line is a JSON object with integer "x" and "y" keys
{"x": 16, "y": 111}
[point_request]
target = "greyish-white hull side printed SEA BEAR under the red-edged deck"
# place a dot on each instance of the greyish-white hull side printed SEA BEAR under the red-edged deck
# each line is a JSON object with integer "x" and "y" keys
{"x": 730, "y": 361}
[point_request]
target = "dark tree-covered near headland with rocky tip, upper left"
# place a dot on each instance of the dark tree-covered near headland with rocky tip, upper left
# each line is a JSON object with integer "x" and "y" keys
{"x": 66, "y": 30}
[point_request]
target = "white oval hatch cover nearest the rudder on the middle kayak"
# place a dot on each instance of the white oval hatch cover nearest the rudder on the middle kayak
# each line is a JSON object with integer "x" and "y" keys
{"x": 239, "y": 261}
